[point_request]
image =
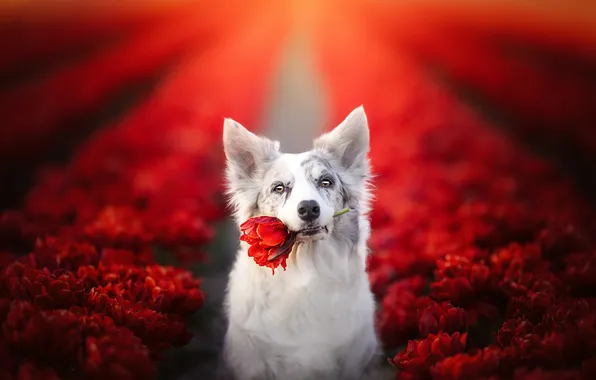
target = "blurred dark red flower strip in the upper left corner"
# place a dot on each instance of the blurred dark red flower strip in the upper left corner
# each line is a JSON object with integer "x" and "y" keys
{"x": 46, "y": 31}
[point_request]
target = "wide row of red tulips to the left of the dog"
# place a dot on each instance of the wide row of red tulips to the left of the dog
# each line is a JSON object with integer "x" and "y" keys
{"x": 89, "y": 300}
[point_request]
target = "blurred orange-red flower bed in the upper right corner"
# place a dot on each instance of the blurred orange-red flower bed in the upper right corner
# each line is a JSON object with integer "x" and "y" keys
{"x": 526, "y": 59}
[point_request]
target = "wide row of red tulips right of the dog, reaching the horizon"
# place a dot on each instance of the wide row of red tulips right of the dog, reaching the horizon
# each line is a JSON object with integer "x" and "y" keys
{"x": 482, "y": 253}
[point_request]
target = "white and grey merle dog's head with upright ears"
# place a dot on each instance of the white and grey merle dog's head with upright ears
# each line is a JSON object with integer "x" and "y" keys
{"x": 302, "y": 190}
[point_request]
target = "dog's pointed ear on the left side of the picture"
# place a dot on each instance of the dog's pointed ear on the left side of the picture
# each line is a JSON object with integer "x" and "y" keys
{"x": 245, "y": 151}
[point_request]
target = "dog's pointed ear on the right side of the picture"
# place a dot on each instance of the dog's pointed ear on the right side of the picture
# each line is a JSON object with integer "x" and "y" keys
{"x": 349, "y": 141}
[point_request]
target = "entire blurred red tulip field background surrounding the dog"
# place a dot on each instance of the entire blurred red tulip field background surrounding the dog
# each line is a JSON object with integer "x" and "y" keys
{"x": 483, "y": 128}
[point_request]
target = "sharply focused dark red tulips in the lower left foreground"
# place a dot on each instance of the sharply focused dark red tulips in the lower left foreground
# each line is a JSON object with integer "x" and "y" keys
{"x": 68, "y": 310}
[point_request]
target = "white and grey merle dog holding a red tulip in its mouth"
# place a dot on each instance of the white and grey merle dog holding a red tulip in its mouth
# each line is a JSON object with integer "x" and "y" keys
{"x": 314, "y": 320}
